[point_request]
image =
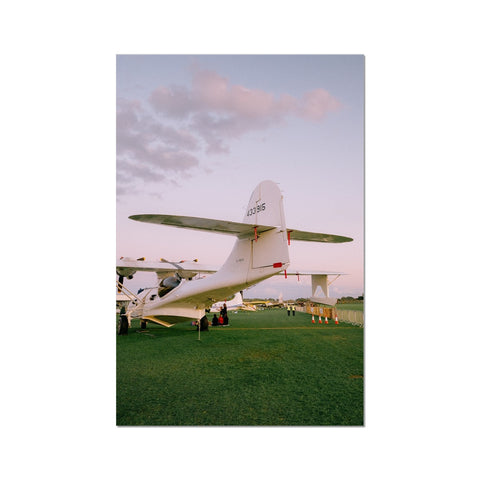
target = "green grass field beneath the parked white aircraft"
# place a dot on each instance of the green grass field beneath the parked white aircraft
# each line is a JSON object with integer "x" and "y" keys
{"x": 264, "y": 369}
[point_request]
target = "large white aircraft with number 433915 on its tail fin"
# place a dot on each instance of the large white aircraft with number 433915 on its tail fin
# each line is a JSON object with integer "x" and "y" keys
{"x": 186, "y": 289}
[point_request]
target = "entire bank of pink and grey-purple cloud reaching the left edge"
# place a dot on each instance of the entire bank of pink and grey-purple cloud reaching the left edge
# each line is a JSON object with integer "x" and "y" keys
{"x": 163, "y": 137}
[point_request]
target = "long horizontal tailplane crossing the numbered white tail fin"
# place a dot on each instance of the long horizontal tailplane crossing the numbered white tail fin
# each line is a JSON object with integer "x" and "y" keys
{"x": 233, "y": 228}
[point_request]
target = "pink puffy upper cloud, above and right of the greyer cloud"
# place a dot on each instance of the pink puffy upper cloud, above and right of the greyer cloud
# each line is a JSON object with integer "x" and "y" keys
{"x": 218, "y": 111}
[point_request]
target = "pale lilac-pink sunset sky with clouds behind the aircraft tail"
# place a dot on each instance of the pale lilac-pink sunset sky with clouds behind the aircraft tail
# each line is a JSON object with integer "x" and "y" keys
{"x": 196, "y": 134}
